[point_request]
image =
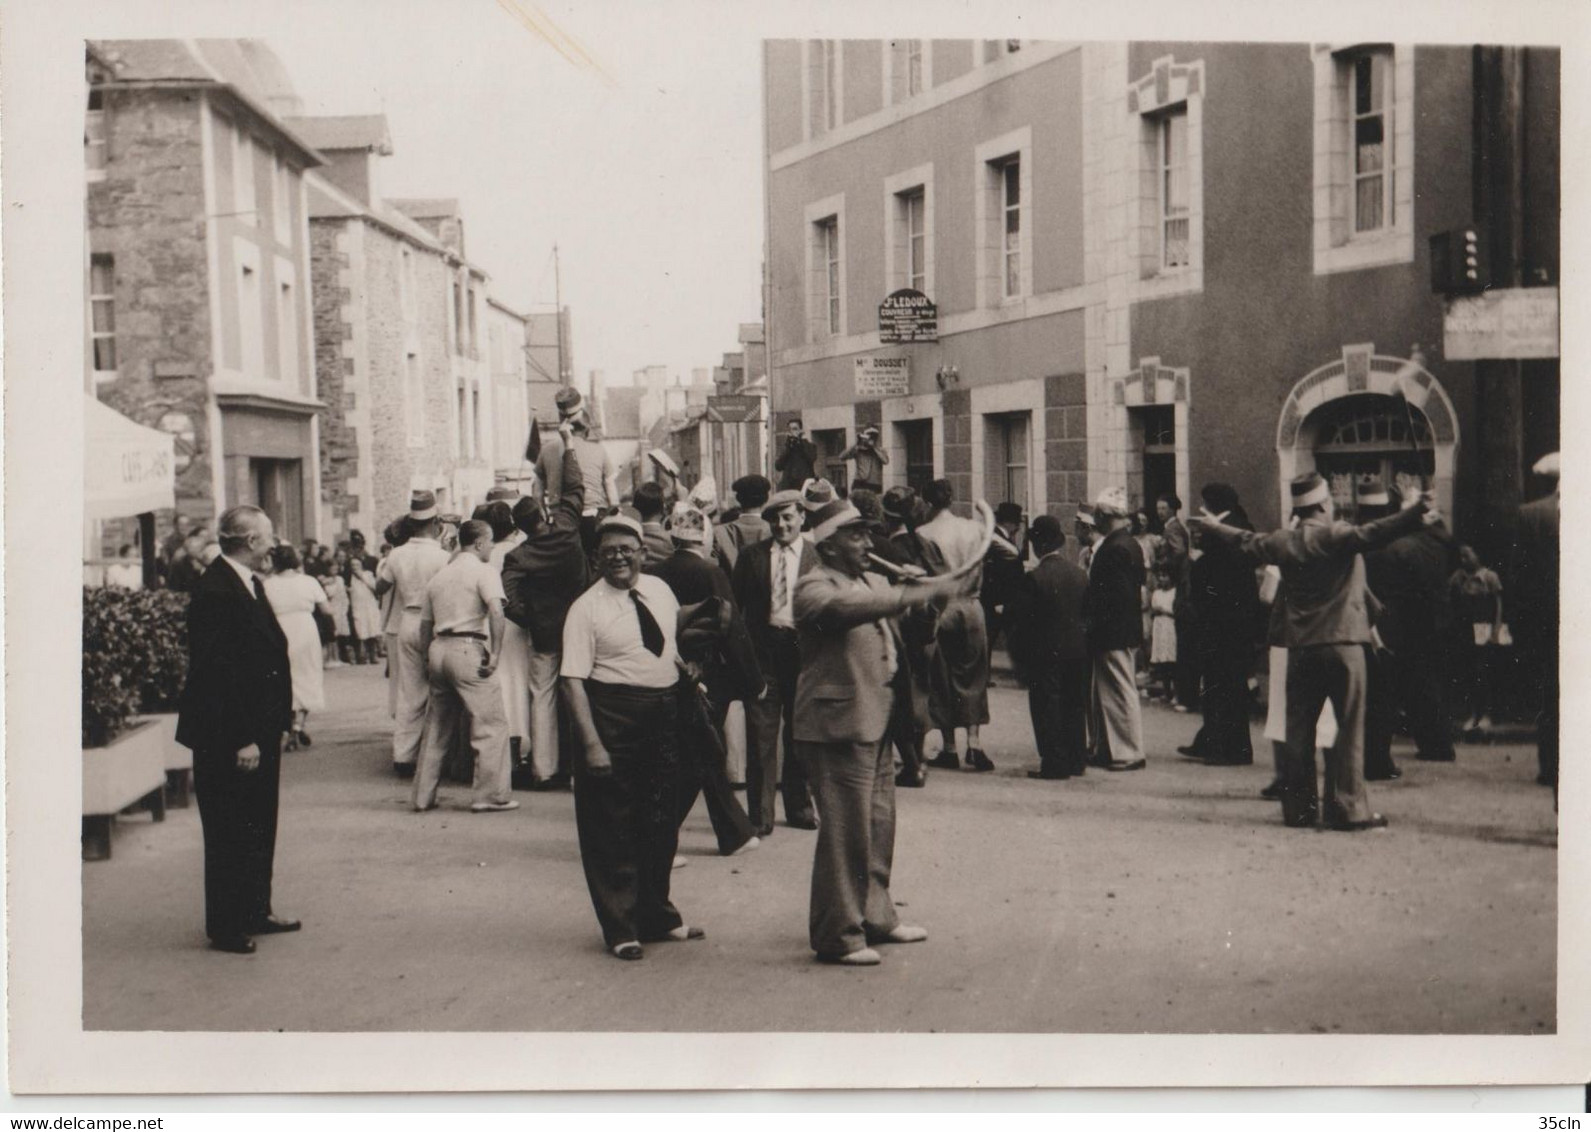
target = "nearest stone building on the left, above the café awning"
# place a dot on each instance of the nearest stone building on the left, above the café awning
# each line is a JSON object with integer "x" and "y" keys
{"x": 198, "y": 269}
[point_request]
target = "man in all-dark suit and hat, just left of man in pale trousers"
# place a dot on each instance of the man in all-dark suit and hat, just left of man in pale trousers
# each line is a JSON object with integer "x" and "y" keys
{"x": 1048, "y": 637}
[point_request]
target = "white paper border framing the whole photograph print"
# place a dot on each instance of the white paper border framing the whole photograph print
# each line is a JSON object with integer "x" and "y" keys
{"x": 41, "y": 71}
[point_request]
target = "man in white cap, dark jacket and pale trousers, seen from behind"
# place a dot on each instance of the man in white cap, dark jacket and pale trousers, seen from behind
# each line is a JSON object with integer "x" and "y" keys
{"x": 1116, "y": 630}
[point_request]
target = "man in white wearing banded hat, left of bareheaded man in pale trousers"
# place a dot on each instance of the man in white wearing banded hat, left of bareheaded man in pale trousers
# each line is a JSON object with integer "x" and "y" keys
{"x": 408, "y": 570}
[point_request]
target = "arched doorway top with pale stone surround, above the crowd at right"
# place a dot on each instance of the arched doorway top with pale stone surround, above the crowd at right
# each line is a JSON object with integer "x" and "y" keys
{"x": 1344, "y": 422}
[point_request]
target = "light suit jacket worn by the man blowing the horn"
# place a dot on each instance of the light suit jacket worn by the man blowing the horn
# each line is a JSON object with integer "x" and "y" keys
{"x": 846, "y": 691}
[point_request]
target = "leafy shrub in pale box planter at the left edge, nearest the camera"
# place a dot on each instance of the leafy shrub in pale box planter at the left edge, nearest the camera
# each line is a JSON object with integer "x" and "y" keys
{"x": 123, "y": 761}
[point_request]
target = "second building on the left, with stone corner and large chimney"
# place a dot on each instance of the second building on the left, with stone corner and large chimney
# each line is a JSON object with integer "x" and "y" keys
{"x": 400, "y": 357}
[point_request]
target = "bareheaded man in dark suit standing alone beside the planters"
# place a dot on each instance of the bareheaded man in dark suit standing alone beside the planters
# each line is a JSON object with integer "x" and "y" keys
{"x": 235, "y": 710}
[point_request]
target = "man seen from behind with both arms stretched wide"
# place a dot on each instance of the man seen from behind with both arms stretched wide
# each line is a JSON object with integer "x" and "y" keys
{"x": 1325, "y": 626}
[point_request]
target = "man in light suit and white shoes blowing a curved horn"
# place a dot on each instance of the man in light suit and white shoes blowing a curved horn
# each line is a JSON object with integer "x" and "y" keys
{"x": 852, "y": 673}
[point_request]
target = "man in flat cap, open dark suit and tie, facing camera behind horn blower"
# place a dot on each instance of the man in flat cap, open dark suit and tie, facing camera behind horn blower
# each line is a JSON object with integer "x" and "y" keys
{"x": 766, "y": 594}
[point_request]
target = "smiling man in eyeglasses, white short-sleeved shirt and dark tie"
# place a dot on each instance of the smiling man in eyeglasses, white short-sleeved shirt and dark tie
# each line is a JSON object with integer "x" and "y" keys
{"x": 620, "y": 683}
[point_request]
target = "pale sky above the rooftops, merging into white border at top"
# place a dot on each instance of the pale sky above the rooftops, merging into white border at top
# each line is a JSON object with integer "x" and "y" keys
{"x": 644, "y": 165}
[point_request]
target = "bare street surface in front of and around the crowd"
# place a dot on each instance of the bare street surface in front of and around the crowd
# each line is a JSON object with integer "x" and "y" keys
{"x": 1165, "y": 901}
